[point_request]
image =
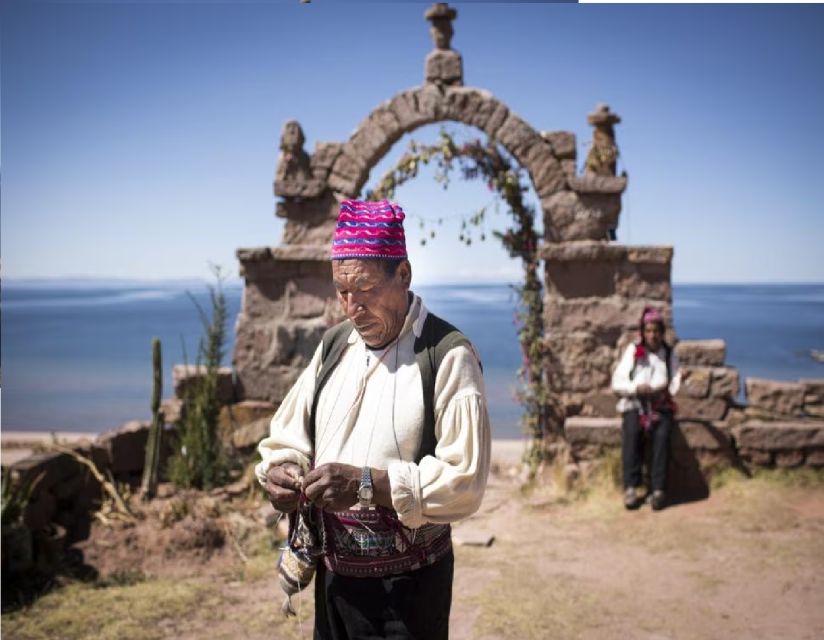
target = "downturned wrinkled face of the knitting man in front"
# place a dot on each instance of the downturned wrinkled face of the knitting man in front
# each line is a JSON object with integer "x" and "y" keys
{"x": 374, "y": 302}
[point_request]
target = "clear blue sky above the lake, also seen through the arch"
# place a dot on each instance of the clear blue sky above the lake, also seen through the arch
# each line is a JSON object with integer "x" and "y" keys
{"x": 139, "y": 140}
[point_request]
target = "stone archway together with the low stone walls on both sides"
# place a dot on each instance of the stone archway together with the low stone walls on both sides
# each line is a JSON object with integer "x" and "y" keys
{"x": 595, "y": 289}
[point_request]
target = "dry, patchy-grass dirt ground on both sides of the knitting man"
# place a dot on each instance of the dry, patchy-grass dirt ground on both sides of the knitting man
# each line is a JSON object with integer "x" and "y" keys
{"x": 747, "y": 562}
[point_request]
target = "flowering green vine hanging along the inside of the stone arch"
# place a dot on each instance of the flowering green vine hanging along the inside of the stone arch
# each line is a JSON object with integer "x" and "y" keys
{"x": 488, "y": 162}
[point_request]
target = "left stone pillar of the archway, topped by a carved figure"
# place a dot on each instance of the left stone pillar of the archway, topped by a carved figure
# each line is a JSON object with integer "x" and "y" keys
{"x": 288, "y": 299}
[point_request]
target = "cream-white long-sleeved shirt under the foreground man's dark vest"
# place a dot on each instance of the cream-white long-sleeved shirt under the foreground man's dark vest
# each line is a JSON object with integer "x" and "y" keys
{"x": 370, "y": 412}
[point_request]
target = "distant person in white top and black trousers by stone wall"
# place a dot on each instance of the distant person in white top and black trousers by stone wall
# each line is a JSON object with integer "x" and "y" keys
{"x": 646, "y": 379}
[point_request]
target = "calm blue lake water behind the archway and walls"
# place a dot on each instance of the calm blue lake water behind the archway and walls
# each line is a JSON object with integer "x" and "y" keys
{"x": 78, "y": 357}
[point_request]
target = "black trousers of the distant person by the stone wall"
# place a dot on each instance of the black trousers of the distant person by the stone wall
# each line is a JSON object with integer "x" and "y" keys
{"x": 632, "y": 449}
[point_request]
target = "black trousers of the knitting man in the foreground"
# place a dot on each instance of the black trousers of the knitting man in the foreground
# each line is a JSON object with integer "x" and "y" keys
{"x": 410, "y": 605}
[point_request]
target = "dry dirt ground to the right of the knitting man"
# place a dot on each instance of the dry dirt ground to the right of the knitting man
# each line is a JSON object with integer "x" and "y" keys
{"x": 746, "y": 563}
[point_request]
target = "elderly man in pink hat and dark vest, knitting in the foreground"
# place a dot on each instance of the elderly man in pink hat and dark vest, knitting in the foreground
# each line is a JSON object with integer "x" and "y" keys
{"x": 382, "y": 442}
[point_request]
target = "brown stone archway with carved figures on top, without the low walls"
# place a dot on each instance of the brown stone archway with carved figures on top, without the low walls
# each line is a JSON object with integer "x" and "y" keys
{"x": 594, "y": 288}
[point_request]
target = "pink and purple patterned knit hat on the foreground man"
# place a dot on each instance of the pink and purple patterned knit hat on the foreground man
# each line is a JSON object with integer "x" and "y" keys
{"x": 369, "y": 230}
